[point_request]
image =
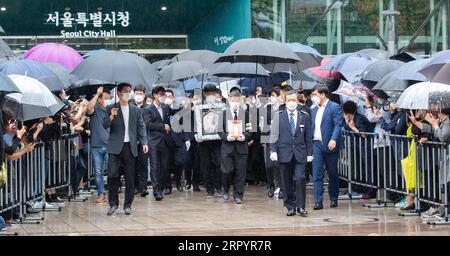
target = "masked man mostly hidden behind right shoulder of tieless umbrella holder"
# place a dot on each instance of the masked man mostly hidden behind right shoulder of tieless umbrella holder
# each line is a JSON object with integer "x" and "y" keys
{"x": 142, "y": 162}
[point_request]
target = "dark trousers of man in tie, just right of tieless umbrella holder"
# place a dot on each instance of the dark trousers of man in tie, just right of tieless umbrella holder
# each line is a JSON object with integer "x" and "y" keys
{"x": 158, "y": 167}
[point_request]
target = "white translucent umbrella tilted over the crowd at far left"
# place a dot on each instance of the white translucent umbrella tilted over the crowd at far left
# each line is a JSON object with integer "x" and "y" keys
{"x": 35, "y": 100}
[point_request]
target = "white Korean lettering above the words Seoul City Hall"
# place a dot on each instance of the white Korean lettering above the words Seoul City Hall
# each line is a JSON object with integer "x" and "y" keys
{"x": 96, "y": 19}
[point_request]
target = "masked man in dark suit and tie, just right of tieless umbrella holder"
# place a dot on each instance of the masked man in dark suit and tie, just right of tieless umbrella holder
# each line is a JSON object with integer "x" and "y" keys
{"x": 158, "y": 130}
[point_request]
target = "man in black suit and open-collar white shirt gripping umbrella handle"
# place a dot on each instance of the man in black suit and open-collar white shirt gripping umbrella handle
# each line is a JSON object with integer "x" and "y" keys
{"x": 127, "y": 130}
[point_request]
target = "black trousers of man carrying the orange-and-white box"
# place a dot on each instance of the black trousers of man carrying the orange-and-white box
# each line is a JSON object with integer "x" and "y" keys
{"x": 234, "y": 169}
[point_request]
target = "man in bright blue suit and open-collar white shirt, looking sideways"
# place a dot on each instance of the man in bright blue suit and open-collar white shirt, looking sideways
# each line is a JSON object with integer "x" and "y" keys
{"x": 327, "y": 126}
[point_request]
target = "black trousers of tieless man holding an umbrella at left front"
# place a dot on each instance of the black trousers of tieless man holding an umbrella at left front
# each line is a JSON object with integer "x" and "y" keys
{"x": 126, "y": 162}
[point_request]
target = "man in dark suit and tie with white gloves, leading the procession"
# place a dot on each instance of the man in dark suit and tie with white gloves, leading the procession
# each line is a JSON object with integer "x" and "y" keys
{"x": 291, "y": 137}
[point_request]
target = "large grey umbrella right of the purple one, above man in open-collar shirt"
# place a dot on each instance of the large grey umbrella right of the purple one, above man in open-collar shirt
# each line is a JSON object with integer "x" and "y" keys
{"x": 114, "y": 67}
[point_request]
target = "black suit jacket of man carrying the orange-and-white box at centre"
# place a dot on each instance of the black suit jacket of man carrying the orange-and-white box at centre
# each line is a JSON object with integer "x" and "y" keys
{"x": 240, "y": 146}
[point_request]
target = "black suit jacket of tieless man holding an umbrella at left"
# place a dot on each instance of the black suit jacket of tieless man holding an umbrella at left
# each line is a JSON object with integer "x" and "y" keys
{"x": 136, "y": 130}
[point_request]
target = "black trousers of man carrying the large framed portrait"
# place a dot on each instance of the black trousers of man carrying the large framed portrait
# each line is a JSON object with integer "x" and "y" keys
{"x": 210, "y": 164}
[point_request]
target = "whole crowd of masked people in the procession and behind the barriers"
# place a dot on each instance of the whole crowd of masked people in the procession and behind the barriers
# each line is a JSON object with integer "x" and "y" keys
{"x": 208, "y": 142}
